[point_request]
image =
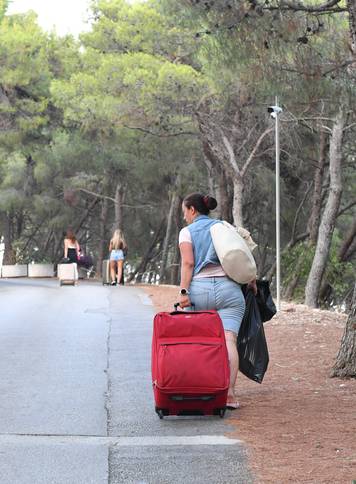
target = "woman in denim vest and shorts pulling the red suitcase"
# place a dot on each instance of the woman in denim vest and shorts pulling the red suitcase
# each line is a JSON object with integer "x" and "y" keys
{"x": 203, "y": 281}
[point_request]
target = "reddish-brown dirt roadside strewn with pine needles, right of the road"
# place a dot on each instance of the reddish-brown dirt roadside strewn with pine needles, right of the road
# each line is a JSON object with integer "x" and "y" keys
{"x": 299, "y": 424}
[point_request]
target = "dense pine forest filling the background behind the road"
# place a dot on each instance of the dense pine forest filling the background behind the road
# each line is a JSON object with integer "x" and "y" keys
{"x": 163, "y": 98}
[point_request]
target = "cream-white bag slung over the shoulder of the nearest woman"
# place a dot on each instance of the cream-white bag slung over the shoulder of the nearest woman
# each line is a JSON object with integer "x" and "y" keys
{"x": 233, "y": 252}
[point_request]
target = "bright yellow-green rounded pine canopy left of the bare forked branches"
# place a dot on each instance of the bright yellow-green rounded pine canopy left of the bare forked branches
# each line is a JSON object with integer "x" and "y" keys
{"x": 126, "y": 89}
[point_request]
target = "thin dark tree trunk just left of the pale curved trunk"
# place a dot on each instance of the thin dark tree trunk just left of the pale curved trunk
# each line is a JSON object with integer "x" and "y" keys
{"x": 314, "y": 220}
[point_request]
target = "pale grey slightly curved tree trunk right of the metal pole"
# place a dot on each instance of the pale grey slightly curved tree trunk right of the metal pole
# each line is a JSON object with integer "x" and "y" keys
{"x": 327, "y": 225}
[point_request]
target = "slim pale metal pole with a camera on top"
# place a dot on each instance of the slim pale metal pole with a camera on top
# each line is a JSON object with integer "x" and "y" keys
{"x": 274, "y": 112}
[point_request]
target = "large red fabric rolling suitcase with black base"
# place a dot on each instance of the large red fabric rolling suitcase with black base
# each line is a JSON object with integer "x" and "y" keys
{"x": 190, "y": 367}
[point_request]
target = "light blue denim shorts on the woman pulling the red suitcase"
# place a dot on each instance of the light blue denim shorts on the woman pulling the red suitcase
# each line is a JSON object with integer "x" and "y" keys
{"x": 222, "y": 294}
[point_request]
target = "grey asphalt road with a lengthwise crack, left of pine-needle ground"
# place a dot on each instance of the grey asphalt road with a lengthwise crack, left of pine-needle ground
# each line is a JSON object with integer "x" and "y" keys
{"x": 76, "y": 404}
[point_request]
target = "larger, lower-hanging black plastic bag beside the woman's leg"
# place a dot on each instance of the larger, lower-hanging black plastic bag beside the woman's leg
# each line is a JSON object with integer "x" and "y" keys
{"x": 251, "y": 342}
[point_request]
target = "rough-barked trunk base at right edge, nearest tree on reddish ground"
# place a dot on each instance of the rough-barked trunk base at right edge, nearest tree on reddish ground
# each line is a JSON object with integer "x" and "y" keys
{"x": 345, "y": 365}
